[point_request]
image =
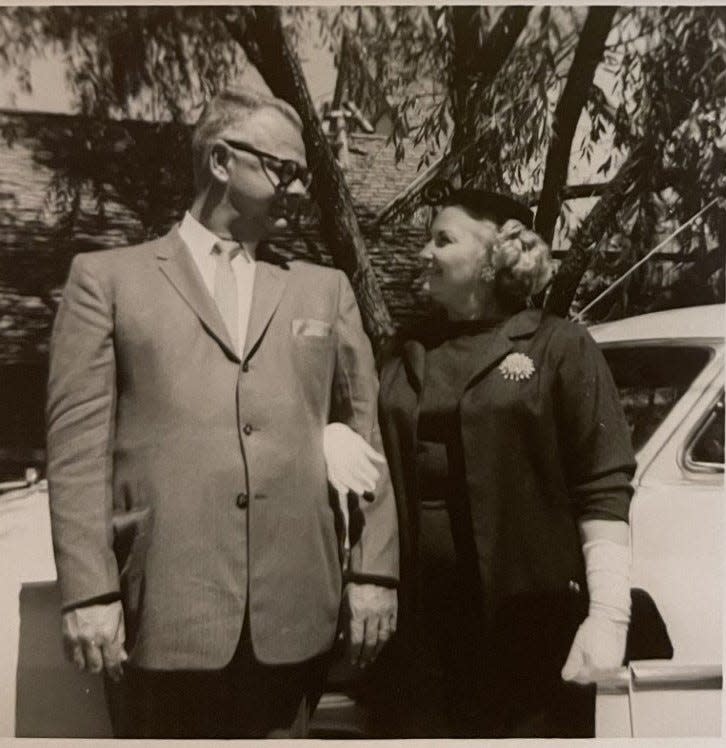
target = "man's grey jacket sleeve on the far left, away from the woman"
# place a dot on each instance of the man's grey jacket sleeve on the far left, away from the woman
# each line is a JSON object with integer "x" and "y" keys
{"x": 80, "y": 420}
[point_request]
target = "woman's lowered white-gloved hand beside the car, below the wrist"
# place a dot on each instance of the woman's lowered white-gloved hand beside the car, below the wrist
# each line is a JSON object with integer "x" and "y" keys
{"x": 598, "y": 647}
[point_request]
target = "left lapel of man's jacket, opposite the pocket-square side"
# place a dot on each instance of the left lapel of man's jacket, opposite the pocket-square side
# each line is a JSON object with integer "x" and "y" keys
{"x": 177, "y": 264}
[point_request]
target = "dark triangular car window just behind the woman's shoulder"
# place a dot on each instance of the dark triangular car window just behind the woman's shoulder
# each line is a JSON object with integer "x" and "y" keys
{"x": 651, "y": 379}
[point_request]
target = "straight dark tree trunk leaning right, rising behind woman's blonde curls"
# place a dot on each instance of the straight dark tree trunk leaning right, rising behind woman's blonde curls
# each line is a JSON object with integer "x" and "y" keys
{"x": 589, "y": 52}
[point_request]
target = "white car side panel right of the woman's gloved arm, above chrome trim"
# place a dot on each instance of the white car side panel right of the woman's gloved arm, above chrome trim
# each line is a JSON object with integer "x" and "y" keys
{"x": 677, "y": 527}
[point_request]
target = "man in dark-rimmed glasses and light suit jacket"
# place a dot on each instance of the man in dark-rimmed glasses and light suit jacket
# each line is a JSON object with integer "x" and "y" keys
{"x": 189, "y": 392}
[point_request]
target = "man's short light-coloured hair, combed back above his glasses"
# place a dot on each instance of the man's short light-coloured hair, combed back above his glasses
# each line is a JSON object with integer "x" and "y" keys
{"x": 231, "y": 107}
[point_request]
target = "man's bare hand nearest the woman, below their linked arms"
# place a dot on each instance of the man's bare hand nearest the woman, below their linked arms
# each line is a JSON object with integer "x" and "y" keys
{"x": 373, "y": 611}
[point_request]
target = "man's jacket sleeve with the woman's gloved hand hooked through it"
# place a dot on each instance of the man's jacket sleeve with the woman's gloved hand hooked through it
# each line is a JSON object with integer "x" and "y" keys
{"x": 375, "y": 557}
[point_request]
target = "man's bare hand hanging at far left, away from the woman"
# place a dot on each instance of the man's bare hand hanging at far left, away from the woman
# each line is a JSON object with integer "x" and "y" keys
{"x": 93, "y": 638}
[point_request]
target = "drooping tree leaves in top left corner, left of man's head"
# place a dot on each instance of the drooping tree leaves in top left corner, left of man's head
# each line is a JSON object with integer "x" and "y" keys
{"x": 156, "y": 62}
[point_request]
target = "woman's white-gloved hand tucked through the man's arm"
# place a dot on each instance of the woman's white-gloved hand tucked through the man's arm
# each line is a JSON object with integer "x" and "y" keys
{"x": 351, "y": 461}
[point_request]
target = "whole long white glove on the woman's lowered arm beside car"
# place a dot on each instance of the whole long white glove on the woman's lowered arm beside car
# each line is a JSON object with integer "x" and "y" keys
{"x": 599, "y": 643}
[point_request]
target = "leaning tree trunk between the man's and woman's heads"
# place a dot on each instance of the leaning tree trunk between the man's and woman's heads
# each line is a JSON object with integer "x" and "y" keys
{"x": 266, "y": 46}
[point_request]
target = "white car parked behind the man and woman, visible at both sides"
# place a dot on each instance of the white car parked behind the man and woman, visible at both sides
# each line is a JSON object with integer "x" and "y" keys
{"x": 669, "y": 370}
